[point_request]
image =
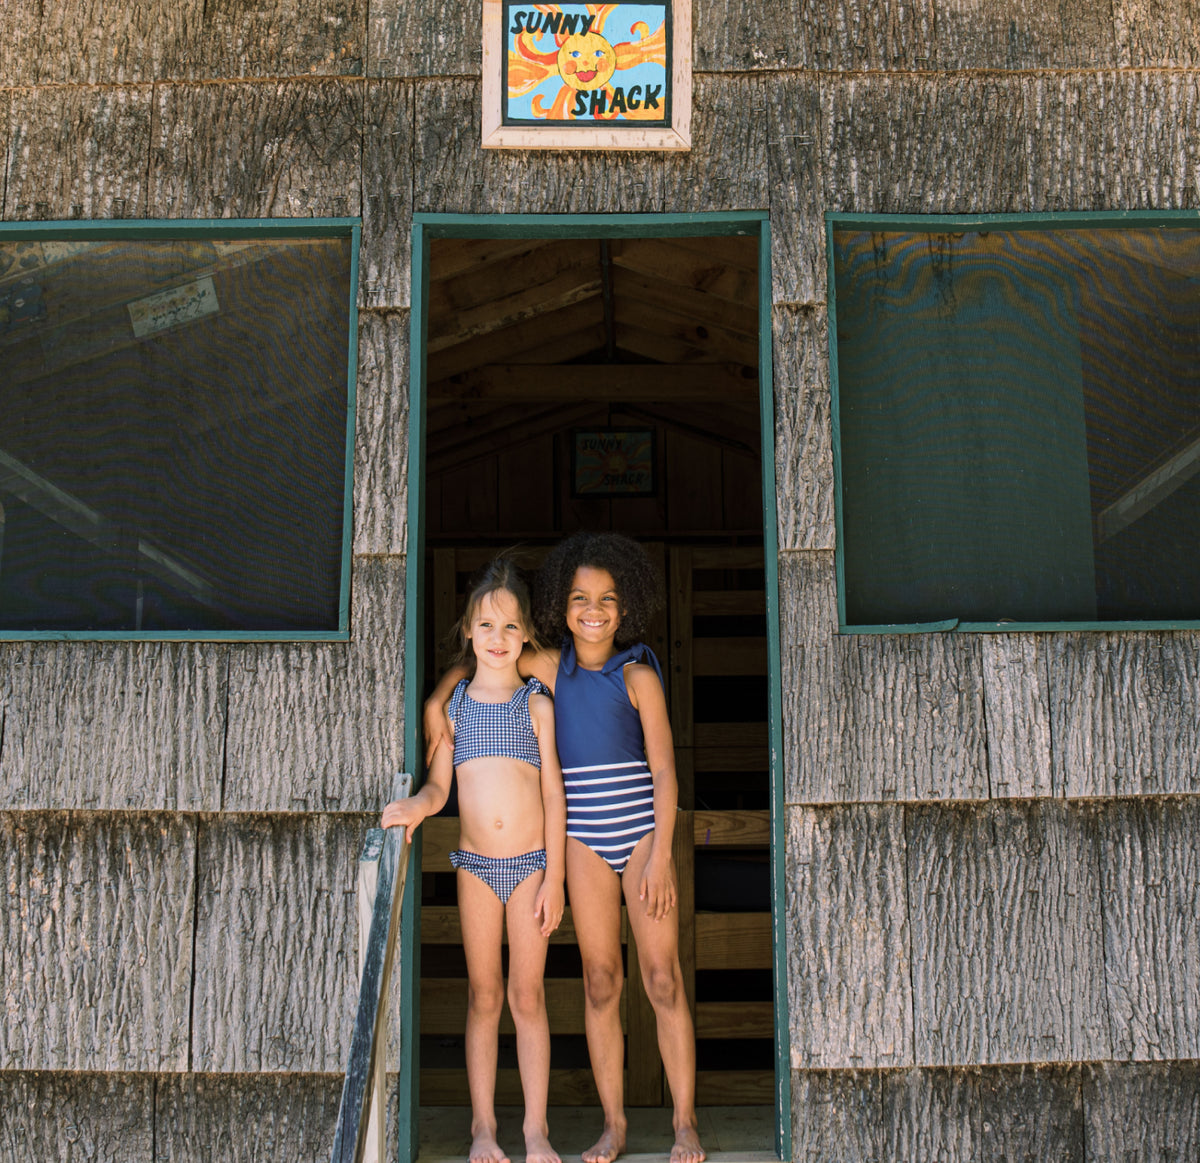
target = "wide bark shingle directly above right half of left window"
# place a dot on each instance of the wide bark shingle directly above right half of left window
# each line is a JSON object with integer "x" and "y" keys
{"x": 277, "y": 149}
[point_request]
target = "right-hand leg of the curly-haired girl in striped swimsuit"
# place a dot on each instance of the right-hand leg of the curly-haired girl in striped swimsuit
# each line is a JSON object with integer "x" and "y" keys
{"x": 658, "y": 954}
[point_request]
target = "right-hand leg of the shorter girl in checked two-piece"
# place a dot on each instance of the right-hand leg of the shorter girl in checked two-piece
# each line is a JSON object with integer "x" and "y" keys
{"x": 527, "y": 1003}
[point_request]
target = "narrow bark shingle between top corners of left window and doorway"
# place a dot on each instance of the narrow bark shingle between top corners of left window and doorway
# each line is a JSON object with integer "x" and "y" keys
{"x": 386, "y": 254}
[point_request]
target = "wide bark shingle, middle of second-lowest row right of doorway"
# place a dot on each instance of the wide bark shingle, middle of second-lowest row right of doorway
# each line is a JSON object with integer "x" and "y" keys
{"x": 1009, "y": 958}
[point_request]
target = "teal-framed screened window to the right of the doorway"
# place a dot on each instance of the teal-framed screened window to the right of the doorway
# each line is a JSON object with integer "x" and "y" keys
{"x": 1018, "y": 421}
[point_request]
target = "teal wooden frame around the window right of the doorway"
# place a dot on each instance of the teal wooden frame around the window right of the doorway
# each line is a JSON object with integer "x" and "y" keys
{"x": 938, "y": 224}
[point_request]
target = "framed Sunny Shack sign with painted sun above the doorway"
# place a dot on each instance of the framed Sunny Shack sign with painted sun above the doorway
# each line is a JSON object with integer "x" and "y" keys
{"x": 587, "y": 76}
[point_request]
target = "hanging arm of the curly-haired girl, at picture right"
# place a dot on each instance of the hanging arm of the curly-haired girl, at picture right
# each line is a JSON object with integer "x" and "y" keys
{"x": 658, "y": 888}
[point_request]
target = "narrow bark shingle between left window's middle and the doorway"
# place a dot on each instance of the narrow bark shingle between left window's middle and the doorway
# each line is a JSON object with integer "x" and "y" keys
{"x": 381, "y": 445}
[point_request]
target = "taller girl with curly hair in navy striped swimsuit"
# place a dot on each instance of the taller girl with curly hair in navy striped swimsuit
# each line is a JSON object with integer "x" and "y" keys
{"x": 596, "y": 595}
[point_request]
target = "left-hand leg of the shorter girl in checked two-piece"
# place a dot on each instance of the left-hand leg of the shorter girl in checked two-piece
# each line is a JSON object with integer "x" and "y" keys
{"x": 482, "y": 916}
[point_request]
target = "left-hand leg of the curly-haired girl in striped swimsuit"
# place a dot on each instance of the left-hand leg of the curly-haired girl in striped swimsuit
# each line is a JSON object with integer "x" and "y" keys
{"x": 595, "y": 890}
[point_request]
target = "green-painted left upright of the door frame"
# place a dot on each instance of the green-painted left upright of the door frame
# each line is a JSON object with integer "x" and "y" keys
{"x": 409, "y": 1087}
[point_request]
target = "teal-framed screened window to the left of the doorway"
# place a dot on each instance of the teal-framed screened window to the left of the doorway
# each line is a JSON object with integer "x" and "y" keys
{"x": 176, "y": 418}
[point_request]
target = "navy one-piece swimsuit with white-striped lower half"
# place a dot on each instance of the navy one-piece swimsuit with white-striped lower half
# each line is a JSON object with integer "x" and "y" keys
{"x": 610, "y": 794}
